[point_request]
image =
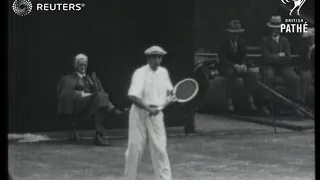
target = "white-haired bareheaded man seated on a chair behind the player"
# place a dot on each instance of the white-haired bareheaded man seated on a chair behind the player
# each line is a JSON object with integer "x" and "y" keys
{"x": 81, "y": 94}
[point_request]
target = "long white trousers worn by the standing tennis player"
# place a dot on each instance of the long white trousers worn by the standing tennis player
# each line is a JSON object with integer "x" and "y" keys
{"x": 142, "y": 129}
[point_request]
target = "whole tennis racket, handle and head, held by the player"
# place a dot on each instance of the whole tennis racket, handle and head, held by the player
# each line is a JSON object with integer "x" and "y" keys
{"x": 184, "y": 91}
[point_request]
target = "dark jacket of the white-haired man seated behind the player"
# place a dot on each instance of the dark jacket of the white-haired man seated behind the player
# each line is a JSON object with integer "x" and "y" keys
{"x": 69, "y": 102}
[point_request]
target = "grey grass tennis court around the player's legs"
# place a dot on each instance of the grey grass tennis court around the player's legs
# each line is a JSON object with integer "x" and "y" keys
{"x": 264, "y": 156}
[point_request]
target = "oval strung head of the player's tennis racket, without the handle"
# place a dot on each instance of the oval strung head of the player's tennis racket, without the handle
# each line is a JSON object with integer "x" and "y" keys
{"x": 185, "y": 90}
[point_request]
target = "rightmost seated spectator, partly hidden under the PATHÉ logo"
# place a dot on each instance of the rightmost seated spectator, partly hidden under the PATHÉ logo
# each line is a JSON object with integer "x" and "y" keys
{"x": 305, "y": 65}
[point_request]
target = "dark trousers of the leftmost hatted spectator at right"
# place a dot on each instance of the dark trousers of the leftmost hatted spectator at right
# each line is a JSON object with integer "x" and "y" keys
{"x": 250, "y": 84}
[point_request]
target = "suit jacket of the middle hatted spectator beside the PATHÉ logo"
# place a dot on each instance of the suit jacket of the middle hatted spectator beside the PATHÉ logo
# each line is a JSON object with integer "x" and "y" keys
{"x": 270, "y": 49}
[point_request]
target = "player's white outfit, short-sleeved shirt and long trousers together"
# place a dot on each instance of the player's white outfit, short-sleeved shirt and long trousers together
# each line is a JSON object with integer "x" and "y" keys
{"x": 152, "y": 87}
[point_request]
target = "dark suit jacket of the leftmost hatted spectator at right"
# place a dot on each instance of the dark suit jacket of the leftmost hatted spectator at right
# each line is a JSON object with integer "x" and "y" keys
{"x": 228, "y": 57}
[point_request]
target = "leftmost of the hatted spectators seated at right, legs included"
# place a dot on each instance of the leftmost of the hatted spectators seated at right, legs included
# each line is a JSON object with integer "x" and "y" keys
{"x": 232, "y": 54}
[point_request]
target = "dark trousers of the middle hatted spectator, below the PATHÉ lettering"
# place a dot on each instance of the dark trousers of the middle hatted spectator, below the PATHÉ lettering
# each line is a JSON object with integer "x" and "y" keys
{"x": 291, "y": 79}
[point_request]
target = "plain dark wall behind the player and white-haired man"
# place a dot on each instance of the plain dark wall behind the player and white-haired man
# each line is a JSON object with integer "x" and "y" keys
{"x": 114, "y": 34}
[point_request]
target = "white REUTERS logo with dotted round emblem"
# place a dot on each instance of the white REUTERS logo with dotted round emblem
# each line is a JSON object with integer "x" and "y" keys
{"x": 24, "y": 7}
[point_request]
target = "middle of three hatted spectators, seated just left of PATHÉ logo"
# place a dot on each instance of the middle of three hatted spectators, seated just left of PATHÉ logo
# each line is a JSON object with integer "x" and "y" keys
{"x": 276, "y": 59}
